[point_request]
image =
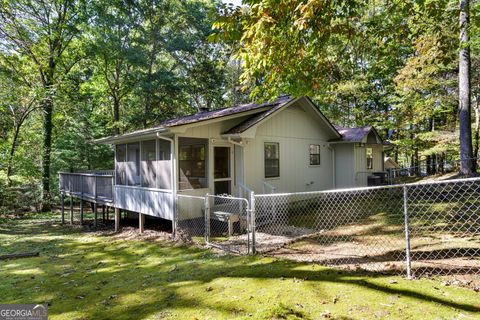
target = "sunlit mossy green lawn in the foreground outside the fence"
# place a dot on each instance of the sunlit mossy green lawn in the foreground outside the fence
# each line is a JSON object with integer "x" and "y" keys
{"x": 85, "y": 275}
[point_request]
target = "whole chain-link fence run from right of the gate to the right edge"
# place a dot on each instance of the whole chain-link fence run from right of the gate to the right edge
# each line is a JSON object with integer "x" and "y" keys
{"x": 416, "y": 230}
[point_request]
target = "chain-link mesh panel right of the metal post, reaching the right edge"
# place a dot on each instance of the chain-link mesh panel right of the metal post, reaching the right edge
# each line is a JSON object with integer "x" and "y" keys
{"x": 444, "y": 227}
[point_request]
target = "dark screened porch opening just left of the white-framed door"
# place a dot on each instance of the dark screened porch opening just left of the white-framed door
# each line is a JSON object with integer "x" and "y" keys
{"x": 192, "y": 163}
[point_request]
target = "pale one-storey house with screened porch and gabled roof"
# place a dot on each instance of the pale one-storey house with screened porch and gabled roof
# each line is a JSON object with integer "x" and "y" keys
{"x": 286, "y": 145}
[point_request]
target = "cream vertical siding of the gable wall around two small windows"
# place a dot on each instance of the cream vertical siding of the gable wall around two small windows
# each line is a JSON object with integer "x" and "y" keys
{"x": 294, "y": 128}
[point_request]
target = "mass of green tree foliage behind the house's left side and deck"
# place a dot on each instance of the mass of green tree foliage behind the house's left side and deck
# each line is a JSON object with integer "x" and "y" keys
{"x": 99, "y": 68}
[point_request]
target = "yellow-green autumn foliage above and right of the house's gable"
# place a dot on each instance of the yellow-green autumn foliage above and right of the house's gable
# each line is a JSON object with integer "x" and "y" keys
{"x": 392, "y": 64}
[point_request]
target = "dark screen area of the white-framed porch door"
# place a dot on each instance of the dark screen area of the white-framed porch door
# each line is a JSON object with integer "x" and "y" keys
{"x": 222, "y": 171}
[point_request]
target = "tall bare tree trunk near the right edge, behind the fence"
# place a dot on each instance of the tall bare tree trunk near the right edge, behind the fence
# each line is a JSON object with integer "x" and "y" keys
{"x": 466, "y": 155}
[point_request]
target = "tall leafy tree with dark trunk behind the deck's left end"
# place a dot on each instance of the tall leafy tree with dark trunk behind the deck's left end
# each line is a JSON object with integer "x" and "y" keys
{"x": 41, "y": 30}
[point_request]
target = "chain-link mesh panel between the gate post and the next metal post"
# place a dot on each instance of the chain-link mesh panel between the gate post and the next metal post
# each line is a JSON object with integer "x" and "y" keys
{"x": 357, "y": 228}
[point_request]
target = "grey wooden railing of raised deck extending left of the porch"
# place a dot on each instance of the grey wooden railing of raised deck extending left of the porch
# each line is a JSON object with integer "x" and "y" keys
{"x": 97, "y": 186}
